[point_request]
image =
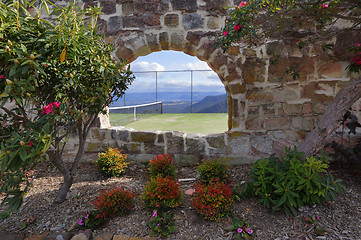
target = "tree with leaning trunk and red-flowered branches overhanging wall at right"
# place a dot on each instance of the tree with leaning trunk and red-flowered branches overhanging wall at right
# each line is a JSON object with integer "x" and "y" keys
{"x": 312, "y": 22}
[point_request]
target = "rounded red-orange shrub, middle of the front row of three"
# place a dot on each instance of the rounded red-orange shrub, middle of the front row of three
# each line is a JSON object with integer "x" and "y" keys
{"x": 162, "y": 193}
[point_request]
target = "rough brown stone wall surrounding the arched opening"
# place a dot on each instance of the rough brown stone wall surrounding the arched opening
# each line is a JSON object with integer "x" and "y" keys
{"x": 267, "y": 108}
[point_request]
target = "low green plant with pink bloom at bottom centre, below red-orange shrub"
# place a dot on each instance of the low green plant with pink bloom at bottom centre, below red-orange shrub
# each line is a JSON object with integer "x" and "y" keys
{"x": 161, "y": 224}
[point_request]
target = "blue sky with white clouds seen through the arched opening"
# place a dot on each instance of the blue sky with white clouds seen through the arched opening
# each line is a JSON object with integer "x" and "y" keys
{"x": 175, "y": 81}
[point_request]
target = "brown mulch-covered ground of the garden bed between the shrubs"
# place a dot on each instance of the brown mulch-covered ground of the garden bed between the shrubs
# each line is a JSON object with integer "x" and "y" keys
{"x": 341, "y": 219}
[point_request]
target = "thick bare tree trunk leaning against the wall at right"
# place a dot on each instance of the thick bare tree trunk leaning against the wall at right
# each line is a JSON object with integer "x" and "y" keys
{"x": 331, "y": 119}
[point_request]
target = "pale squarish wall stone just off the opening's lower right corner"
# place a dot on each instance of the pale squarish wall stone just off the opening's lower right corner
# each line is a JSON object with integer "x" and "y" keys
{"x": 239, "y": 143}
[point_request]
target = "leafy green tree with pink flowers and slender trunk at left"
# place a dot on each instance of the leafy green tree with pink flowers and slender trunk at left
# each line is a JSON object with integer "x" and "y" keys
{"x": 56, "y": 77}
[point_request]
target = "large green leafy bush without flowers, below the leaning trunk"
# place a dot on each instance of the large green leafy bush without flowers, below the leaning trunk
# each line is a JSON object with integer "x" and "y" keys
{"x": 290, "y": 183}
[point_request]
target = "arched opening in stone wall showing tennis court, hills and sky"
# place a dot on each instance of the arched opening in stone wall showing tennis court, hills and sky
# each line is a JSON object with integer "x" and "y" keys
{"x": 172, "y": 92}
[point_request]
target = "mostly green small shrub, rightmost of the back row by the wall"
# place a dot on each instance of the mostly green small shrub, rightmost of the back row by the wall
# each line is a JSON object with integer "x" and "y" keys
{"x": 212, "y": 169}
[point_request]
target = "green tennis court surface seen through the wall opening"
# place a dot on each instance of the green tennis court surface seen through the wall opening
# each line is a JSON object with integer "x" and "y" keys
{"x": 204, "y": 123}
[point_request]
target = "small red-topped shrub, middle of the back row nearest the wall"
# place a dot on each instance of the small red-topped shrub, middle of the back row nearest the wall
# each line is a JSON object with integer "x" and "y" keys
{"x": 162, "y": 165}
